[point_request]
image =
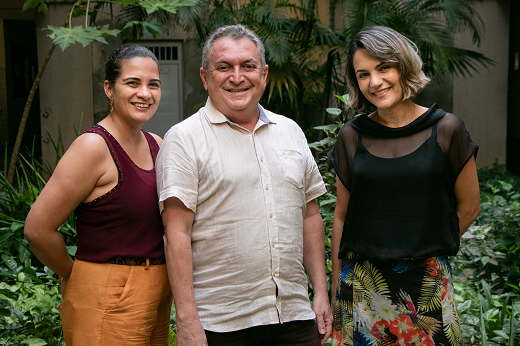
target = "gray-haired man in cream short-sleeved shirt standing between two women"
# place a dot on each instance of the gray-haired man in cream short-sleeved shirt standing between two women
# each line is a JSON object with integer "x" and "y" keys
{"x": 237, "y": 186}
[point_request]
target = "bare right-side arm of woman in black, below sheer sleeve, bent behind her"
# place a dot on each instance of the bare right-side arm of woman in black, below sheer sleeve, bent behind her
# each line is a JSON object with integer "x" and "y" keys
{"x": 467, "y": 194}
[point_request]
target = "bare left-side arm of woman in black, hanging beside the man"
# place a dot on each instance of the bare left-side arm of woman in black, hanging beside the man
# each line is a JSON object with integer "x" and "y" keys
{"x": 343, "y": 196}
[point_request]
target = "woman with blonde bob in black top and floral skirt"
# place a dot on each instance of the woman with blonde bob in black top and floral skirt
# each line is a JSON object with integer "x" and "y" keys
{"x": 407, "y": 189}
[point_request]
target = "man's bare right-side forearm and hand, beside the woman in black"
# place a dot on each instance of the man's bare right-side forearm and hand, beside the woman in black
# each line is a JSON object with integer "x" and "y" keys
{"x": 314, "y": 262}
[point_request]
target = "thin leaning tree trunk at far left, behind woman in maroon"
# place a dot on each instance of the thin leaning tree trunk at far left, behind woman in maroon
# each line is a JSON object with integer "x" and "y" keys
{"x": 23, "y": 122}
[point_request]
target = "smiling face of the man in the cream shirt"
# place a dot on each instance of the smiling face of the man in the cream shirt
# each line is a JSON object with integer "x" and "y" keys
{"x": 235, "y": 80}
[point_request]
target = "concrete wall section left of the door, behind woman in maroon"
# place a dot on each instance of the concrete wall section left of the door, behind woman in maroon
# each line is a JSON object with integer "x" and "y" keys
{"x": 66, "y": 85}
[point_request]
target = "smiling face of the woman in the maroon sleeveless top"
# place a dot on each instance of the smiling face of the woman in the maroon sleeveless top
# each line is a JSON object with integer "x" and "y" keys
{"x": 137, "y": 91}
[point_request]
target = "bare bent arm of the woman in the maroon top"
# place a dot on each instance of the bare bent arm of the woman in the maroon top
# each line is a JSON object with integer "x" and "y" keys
{"x": 78, "y": 173}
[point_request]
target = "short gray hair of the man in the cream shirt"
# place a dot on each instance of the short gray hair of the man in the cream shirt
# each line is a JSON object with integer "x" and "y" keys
{"x": 235, "y": 32}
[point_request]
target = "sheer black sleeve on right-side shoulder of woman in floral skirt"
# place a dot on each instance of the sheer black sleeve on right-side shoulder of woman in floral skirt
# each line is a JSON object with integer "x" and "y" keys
{"x": 456, "y": 143}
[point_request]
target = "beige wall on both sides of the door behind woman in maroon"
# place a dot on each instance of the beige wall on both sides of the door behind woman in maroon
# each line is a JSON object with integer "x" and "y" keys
{"x": 73, "y": 81}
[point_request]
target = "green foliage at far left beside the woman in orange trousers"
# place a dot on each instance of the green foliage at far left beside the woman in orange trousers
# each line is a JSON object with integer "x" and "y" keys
{"x": 28, "y": 290}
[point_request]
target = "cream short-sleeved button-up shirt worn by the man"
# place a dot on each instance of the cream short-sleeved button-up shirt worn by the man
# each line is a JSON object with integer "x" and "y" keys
{"x": 248, "y": 192}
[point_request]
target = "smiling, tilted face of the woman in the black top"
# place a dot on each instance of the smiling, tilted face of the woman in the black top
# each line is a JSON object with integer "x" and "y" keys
{"x": 378, "y": 81}
